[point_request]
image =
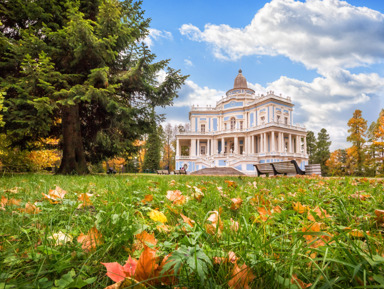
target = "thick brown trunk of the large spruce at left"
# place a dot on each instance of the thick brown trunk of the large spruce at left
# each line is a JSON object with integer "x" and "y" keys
{"x": 73, "y": 161}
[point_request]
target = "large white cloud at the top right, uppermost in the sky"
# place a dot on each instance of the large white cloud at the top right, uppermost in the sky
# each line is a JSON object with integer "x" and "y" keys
{"x": 319, "y": 34}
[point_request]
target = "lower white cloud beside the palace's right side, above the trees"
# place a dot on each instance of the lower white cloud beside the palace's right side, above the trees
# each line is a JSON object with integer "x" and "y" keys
{"x": 328, "y": 101}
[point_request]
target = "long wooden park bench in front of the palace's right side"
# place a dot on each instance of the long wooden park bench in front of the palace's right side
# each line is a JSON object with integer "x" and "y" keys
{"x": 279, "y": 168}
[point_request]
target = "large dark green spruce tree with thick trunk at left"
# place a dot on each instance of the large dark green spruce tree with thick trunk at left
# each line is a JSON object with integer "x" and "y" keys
{"x": 79, "y": 70}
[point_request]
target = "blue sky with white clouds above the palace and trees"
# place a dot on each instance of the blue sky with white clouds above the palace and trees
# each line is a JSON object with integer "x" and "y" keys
{"x": 326, "y": 54}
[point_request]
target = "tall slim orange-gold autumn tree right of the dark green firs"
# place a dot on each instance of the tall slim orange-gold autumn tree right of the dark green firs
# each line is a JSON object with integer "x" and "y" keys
{"x": 357, "y": 129}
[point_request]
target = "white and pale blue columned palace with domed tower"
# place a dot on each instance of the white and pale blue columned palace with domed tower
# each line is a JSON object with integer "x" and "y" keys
{"x": 243, "y": 129}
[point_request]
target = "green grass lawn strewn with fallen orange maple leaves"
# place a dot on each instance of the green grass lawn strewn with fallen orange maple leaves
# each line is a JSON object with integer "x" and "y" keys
{"x": 191, "y": 231}
